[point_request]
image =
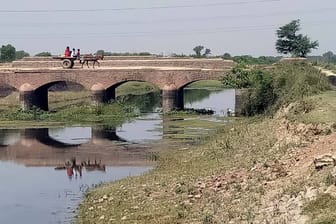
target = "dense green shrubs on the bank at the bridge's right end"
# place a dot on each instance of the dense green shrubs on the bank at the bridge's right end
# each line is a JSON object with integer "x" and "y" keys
{"x": 270, "y": 89}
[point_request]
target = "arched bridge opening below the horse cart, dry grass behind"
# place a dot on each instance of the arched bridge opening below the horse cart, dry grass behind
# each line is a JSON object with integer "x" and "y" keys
{"x": 62, "y": 94}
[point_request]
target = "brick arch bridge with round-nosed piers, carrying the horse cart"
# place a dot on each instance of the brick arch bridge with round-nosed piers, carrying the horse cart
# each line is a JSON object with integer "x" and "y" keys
{"x": 33, "y": 76}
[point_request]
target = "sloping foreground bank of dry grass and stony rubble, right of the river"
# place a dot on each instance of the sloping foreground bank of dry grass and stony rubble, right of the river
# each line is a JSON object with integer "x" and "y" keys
{"x": 254, "y": 170}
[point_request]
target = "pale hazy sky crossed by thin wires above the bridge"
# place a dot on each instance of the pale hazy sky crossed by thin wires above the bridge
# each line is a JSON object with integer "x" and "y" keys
{"x": 162, "y": 27}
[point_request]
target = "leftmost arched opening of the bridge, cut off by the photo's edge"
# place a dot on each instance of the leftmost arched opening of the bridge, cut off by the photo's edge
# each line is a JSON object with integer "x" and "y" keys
{"x": 8, "y": 96}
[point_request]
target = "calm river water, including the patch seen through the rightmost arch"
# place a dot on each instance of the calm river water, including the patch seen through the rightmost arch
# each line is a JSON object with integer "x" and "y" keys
{"x": 44, "y": 172}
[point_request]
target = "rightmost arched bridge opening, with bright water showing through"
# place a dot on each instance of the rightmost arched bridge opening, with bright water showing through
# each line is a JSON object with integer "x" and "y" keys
{"x": 209, "y": 95}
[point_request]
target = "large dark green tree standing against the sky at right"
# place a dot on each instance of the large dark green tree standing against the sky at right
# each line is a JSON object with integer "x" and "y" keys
{"x": 291, "y": 42}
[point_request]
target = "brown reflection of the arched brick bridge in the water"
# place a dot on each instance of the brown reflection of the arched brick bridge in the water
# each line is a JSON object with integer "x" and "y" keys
{"x": 54, "y": 147}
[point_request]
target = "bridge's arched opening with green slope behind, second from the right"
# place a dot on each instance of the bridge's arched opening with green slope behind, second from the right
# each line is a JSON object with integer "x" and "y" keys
{"x": 142, "y": 95}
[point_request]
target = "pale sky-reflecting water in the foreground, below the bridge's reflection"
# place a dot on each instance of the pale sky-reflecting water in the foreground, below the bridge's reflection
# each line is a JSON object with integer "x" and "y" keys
{"x": 41, "y": 195}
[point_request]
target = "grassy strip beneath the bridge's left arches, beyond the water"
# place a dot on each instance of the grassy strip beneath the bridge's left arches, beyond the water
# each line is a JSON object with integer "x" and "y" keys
{"x": 71, "y": 107}
